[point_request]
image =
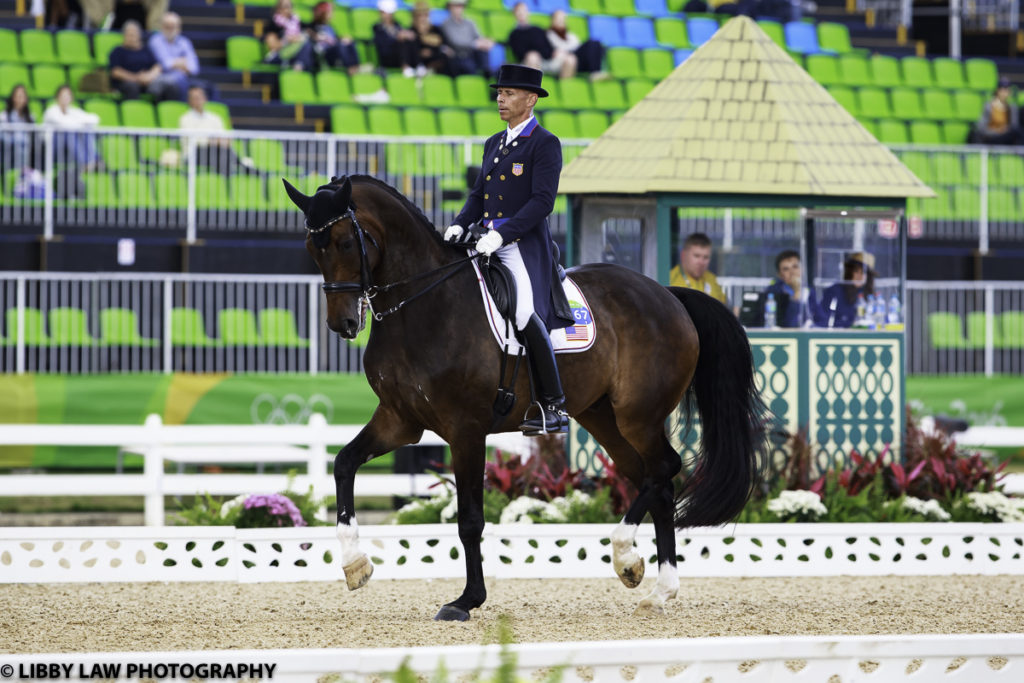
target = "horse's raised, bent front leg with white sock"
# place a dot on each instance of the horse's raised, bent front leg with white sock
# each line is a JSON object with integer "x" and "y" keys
{"x": 383, "y": 434}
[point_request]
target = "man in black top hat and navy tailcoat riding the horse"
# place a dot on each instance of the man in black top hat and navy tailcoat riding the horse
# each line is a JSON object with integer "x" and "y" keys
{"x": 514, "y": 196}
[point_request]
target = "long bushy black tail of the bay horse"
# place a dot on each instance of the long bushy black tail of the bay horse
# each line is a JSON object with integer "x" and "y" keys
{"x": 732, "y": 456}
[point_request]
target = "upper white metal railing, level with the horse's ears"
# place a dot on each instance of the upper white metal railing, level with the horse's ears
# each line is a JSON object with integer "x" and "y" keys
{"x": 170, "y": 183}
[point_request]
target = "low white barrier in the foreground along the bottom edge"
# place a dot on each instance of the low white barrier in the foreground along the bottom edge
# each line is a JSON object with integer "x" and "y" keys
{"x": 990, "y": 658}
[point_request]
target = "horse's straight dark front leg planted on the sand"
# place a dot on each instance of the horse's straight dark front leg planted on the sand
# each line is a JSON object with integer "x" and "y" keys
{"x": 467, "y": 462}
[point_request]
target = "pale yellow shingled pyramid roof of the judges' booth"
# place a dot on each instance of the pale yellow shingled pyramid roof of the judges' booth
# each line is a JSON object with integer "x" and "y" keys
{"x": 740, "y": 116}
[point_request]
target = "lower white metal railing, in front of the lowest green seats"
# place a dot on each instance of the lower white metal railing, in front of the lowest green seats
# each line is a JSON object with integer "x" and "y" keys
{"x": 126, "y": 323}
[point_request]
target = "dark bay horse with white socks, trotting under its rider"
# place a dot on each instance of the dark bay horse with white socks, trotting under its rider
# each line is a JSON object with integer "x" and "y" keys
{"x": 435, "y": 365}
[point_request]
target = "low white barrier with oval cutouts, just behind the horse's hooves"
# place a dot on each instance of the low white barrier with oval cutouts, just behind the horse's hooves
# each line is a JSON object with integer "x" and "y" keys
{"x": 511, "y": 551}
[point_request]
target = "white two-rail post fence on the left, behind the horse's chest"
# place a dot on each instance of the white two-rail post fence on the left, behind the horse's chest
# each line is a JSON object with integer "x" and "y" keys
{"x": 159, "y": 443}
